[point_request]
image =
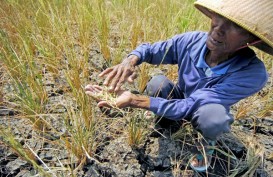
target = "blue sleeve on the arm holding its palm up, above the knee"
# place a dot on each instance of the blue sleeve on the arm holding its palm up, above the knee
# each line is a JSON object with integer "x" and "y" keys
{"x": 233, "y": 88}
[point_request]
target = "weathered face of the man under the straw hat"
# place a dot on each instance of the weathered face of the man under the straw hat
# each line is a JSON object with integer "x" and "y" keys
{"x": 225, "y": 37}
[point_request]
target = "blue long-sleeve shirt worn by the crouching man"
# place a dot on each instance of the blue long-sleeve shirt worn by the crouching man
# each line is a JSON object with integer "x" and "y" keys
{"x": 237, "y": 79}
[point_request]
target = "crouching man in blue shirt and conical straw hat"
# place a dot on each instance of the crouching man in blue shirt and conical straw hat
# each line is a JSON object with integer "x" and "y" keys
{"x": 216, "y": 69}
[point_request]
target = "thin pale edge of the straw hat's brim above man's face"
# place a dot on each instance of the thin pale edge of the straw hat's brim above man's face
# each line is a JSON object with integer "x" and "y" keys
{"x": 207, "y": 9}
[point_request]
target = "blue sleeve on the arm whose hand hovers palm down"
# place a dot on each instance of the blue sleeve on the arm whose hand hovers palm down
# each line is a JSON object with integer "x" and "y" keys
{"x": 163, "y": 52}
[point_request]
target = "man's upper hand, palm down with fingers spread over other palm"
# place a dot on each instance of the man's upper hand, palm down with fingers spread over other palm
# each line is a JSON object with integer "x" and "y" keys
{"x": 117, "y": 75}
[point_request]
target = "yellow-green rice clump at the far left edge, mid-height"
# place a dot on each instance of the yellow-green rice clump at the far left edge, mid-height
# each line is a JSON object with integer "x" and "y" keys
{"x": 26, "y": 81}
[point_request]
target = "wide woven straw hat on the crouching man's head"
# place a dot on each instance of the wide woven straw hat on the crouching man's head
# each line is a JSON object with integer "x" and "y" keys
{"x": 256, "y": 16}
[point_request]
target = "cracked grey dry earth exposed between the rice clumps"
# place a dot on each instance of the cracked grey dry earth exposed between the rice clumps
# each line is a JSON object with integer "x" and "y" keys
{"x": 159, "y": 155}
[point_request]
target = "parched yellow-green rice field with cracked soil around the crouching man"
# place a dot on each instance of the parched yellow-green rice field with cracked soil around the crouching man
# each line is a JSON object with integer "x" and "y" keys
{"x": 51, "y": 49}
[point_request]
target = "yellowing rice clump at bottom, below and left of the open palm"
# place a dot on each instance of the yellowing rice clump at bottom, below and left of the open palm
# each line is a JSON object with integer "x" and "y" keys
{"x": 81, "y": 142}
